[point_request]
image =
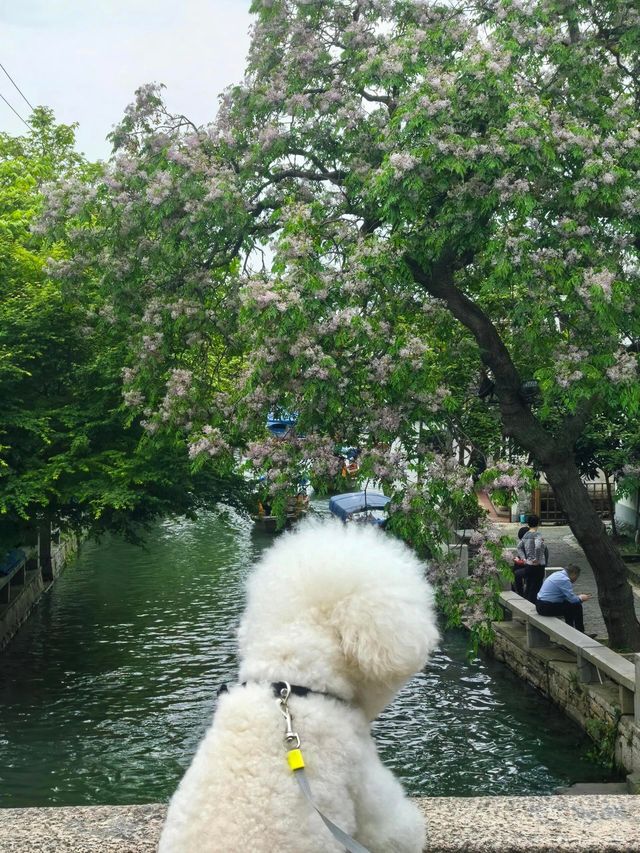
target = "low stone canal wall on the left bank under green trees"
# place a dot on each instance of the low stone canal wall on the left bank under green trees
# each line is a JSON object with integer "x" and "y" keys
{"x": 24, "y": 596}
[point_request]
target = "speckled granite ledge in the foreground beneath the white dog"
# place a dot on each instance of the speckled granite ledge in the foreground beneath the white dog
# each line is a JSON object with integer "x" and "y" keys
{"x": 579, "y": 824}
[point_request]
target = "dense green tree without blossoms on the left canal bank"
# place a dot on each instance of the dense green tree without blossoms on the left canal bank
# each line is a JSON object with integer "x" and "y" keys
{"x": 71, "y": 455}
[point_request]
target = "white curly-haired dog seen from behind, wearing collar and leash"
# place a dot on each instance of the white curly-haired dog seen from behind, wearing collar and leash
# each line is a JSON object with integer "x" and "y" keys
{"x": 343, "y": 614}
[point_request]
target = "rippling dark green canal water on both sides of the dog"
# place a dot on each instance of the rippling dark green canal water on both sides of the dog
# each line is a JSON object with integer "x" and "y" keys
{"x": 107, "y": 689}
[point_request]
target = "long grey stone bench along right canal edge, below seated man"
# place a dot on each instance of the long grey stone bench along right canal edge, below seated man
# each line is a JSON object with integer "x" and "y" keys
{"x": 592, "y": 658}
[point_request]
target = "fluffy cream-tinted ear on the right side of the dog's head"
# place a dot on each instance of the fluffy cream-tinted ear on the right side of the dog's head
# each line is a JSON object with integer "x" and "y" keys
{"x": 387, "y": 631}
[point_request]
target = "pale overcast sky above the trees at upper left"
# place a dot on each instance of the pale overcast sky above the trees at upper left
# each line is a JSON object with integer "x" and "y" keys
{"x": 85, "y": 58}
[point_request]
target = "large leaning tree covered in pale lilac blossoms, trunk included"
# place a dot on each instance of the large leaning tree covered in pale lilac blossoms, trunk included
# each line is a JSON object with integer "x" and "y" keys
{"x": 401, "y": 199}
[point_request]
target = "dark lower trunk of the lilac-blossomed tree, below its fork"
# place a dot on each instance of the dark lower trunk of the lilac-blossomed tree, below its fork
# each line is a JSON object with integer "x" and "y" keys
{"x": 614, "y": 593}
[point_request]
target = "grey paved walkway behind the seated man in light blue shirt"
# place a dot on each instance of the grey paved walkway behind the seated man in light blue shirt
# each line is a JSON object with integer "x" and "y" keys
{"x": 564, "y": 549}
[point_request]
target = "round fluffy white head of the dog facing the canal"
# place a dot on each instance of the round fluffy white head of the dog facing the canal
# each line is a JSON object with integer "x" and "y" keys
{"x": 340, "y": 608}
